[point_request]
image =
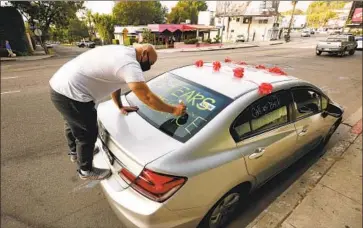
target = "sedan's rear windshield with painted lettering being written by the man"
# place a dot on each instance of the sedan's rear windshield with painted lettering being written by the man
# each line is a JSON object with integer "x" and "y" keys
{"x": 203, "y": 105}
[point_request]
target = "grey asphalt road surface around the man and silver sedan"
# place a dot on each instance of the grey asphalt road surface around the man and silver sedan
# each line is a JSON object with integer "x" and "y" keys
{"x": 37, "y": 178}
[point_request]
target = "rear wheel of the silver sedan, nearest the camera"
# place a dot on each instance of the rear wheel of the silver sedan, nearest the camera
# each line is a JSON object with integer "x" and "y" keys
{"x": 220, "y": 213}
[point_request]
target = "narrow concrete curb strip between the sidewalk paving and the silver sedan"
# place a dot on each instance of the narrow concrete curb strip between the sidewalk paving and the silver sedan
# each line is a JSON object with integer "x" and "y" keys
{"x": 281, "y": 208}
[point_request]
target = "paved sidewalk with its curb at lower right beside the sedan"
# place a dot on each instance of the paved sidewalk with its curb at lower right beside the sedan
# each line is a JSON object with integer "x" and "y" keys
{"x": 329, "y": 194}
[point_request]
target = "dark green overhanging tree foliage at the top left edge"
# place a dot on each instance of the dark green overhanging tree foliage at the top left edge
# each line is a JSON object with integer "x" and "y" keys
{"x": 47, "y": 13}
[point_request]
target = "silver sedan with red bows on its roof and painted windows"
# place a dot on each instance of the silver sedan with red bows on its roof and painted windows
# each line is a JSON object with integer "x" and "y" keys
{"x": 244, "y": 125}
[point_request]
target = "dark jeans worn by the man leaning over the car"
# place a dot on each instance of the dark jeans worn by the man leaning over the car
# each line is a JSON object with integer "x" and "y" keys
{"x": 80, "y": 127}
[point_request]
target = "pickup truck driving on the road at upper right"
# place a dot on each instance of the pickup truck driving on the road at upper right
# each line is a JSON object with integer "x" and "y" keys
{"x": 339, "y": 44}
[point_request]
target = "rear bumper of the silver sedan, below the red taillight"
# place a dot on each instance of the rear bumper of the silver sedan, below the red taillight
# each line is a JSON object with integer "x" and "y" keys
{"x": 133, "y": 209}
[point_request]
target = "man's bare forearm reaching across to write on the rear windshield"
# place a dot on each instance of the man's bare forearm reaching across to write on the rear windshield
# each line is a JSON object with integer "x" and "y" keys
{"x": 143, "y": 92}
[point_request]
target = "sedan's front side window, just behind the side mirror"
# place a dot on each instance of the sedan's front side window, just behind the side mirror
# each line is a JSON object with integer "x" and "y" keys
{"x": 307, "y": 102}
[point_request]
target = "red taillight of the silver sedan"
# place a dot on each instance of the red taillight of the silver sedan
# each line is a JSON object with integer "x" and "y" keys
{"x": 155, "y": 186}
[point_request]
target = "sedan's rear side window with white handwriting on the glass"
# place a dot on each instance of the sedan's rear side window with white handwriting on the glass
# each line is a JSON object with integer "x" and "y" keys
{"x": 265, "y": 114}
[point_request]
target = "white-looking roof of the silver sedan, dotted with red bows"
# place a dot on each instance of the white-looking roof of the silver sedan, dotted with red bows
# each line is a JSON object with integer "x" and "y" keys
{"x": 224, "y": 81}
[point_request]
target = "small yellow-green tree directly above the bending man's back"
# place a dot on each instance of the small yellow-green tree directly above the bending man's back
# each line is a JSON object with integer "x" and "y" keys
{"x": 104, "y": 24}
